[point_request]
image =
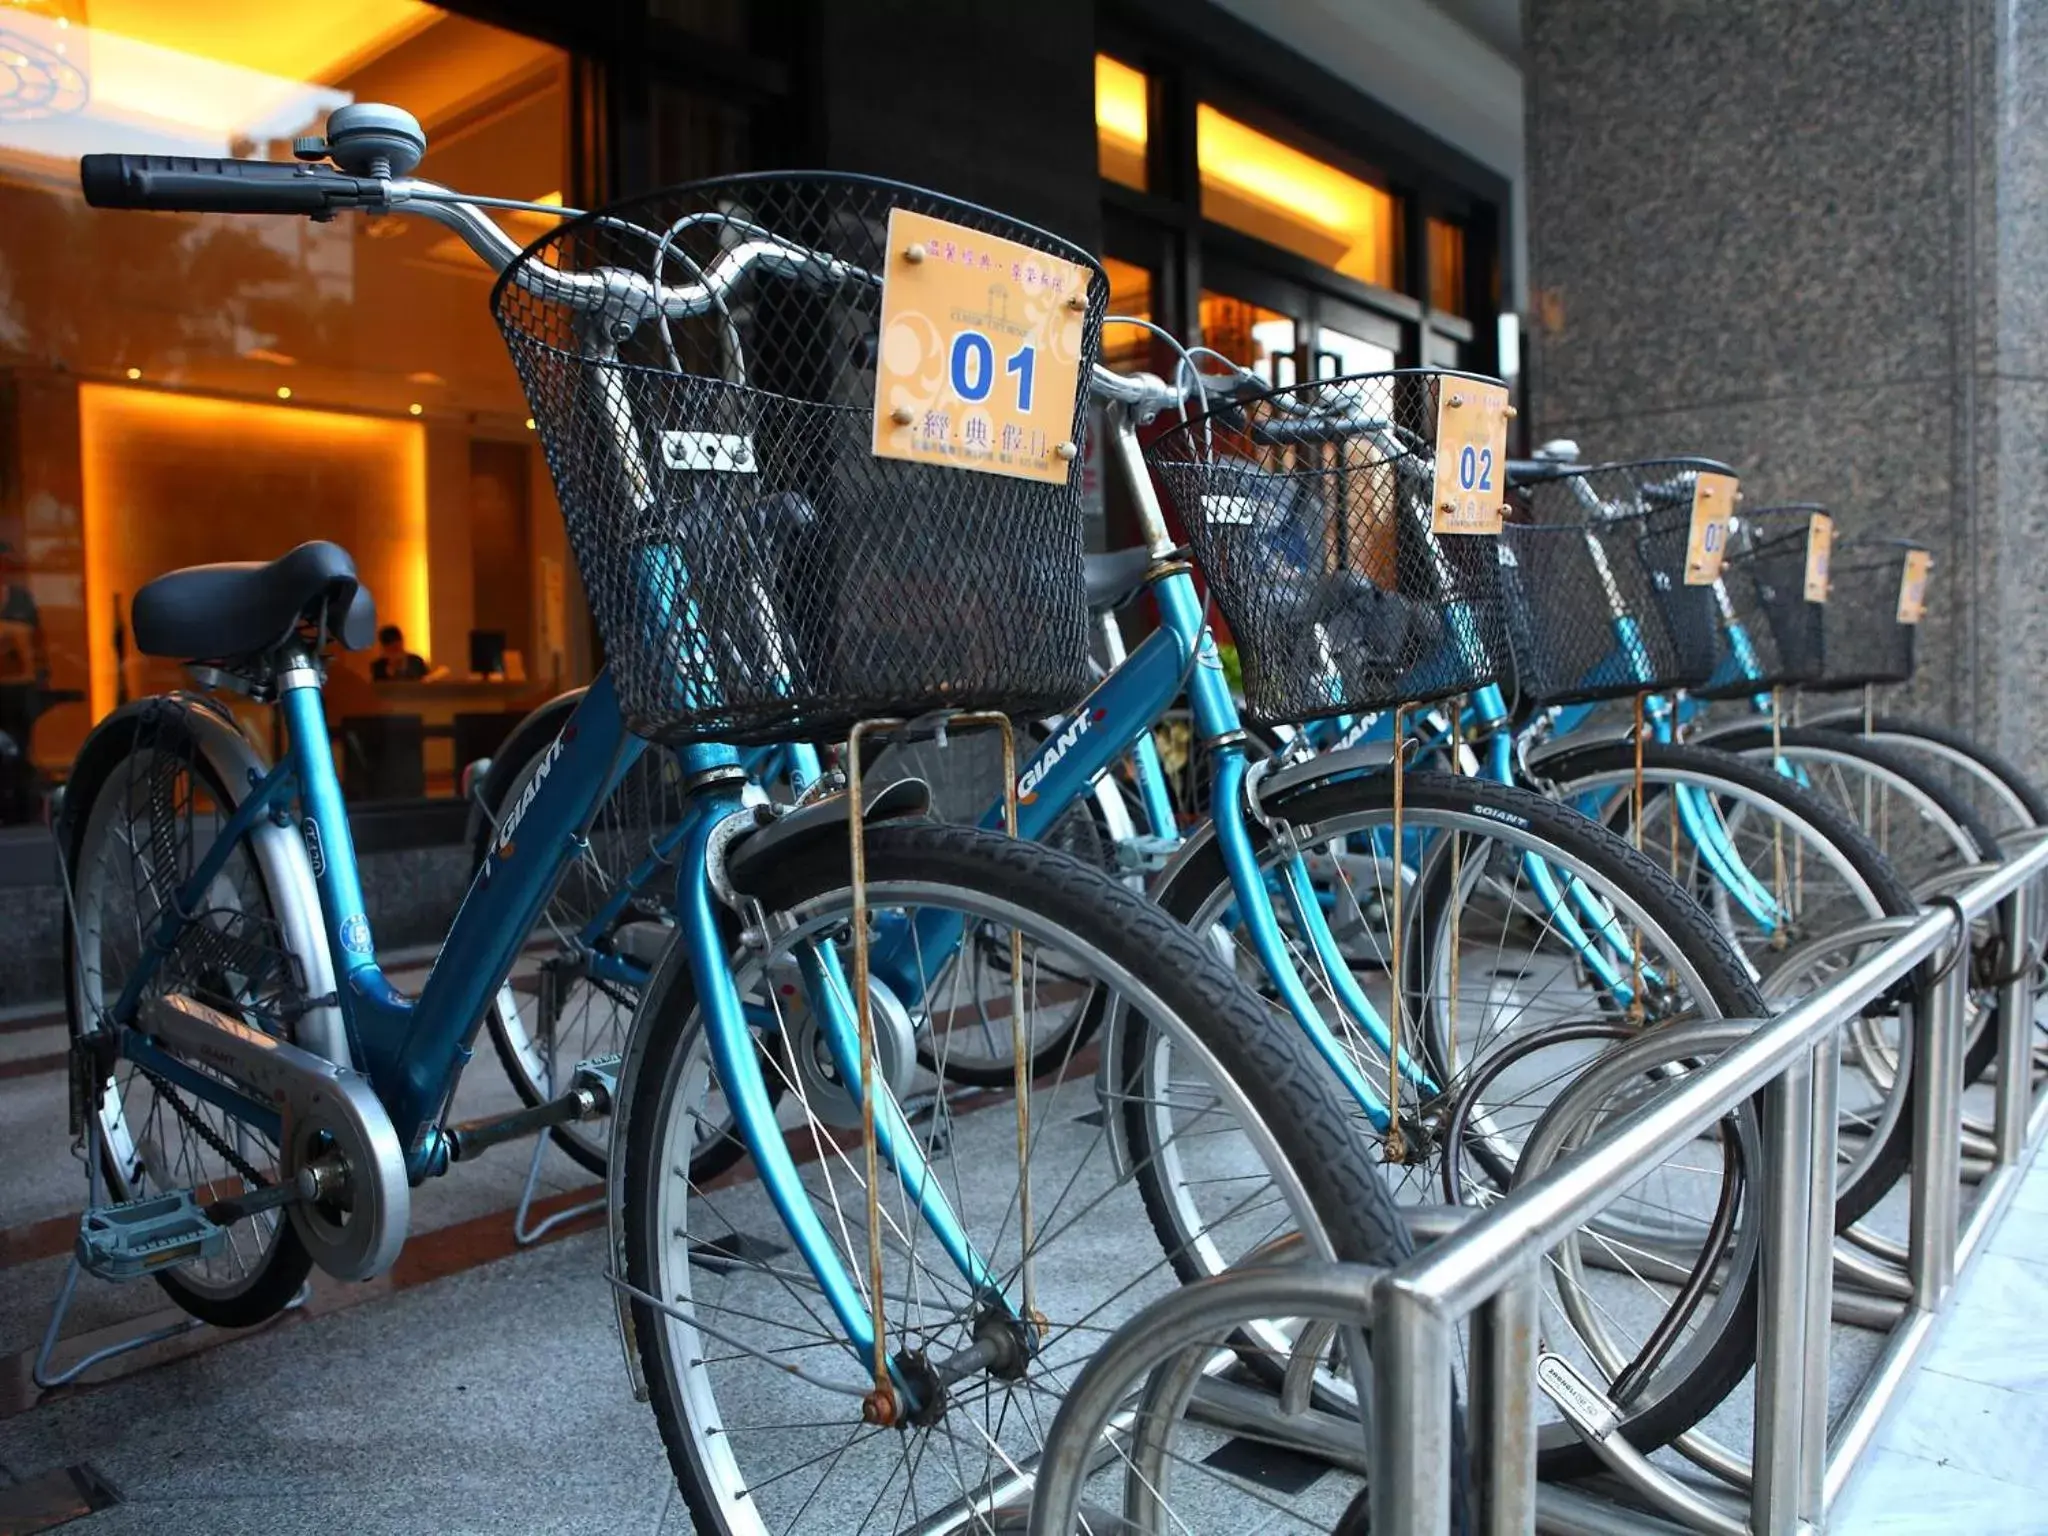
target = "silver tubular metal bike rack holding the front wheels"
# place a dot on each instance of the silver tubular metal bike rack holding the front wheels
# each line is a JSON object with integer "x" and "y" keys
{"x": 1486, "y": 1275}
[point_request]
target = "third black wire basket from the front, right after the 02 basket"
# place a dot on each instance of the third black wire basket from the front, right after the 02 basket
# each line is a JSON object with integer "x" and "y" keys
{"x": 1594, "y": 577}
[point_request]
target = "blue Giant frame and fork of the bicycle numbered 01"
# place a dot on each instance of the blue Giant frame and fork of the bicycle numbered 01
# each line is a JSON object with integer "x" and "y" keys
{"x": 415, "y": 1050}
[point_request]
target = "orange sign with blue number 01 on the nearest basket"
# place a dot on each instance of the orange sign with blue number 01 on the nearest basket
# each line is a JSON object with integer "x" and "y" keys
{"x": 980, "y": 351}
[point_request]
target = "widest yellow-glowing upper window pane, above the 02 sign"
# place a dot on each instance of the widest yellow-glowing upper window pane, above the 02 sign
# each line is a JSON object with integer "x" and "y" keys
{"x": 1277, "y": 194}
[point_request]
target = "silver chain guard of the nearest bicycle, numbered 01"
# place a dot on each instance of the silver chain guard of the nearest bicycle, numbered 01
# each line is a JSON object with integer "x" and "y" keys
{"x": 355, "y": 1203}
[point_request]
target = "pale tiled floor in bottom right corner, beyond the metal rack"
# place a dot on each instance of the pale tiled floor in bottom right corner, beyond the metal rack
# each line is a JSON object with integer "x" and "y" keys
{"x": 1967, "y": 1447}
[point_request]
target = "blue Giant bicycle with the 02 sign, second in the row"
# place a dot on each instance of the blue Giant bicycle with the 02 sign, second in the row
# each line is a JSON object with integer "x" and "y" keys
{"x": 1523, "y": 916}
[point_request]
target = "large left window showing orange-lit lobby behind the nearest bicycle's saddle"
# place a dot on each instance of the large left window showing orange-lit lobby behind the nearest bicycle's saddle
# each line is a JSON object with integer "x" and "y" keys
{"x": 196, "y": 388}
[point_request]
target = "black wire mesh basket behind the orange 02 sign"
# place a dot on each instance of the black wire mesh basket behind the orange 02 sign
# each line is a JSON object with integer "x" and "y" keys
{"x": 1310, "y": 513}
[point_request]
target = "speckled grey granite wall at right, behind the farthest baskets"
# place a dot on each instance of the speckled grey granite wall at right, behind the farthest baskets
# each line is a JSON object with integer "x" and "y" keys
{"x": 1807, "y": 237}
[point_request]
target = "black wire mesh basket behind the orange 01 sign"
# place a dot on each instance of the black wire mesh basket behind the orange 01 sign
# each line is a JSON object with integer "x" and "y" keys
{"x": 755, "y": 570}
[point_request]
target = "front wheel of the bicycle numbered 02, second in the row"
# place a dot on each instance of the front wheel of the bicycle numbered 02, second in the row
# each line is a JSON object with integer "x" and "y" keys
{"x": 1535, "y": 943}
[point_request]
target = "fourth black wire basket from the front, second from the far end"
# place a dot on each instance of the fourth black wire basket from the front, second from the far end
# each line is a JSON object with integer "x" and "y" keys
{"x": 1770, "y": 634}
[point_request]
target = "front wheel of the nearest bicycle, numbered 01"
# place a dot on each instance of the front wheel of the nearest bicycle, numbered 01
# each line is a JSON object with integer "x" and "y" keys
{"x": 753, "y": 1383}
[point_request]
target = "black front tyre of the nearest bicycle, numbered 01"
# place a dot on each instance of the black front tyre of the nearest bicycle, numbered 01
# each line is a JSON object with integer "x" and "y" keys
{"x": 1269, "y": 1068}
